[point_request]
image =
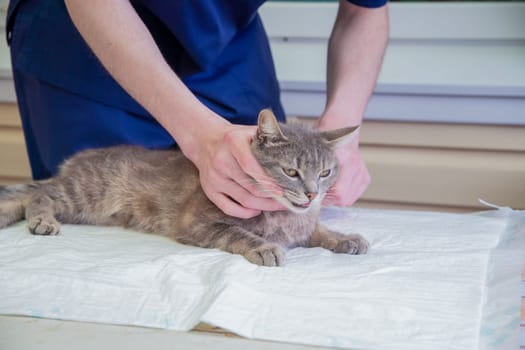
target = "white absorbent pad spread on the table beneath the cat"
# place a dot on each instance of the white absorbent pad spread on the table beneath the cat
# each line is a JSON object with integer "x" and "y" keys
{"x": 430, "y": 281}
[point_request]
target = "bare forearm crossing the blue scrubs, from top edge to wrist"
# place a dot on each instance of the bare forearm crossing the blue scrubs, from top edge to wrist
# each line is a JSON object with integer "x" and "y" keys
{"x": 124, "y": 46}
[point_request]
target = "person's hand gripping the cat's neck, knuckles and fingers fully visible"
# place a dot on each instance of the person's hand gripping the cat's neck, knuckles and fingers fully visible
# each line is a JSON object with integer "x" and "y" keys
{"x": 227, "y": 170}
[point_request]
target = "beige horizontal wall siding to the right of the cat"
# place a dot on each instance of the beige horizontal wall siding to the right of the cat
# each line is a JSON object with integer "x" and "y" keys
{"x": 444, "y": 166}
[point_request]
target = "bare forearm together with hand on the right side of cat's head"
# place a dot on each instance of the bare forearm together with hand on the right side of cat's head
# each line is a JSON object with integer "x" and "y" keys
{"x": 355, "y": 53}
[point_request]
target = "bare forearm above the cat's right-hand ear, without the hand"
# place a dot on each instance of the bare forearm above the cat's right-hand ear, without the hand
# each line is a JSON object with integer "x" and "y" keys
{"x": 356, "y": 48}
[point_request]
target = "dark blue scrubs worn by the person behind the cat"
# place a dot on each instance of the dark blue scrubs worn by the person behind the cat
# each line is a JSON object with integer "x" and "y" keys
{"x": 218, "y": 48}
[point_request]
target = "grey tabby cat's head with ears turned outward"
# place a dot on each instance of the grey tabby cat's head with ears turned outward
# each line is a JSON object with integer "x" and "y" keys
{"x": 300, "y": 160}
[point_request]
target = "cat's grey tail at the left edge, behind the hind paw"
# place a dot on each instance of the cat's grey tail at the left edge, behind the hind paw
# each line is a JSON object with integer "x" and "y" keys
{"x": 13, "y": 200}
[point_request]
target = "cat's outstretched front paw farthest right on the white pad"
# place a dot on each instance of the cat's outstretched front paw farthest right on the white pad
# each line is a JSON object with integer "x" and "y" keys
{"x": 337, "y": 242}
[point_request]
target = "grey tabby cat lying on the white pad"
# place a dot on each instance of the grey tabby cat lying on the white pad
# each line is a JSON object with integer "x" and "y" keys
{"x": 158, "y": 191}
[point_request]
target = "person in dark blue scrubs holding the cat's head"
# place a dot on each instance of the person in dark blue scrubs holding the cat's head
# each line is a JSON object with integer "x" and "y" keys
{"x": 190, "y": 73}
